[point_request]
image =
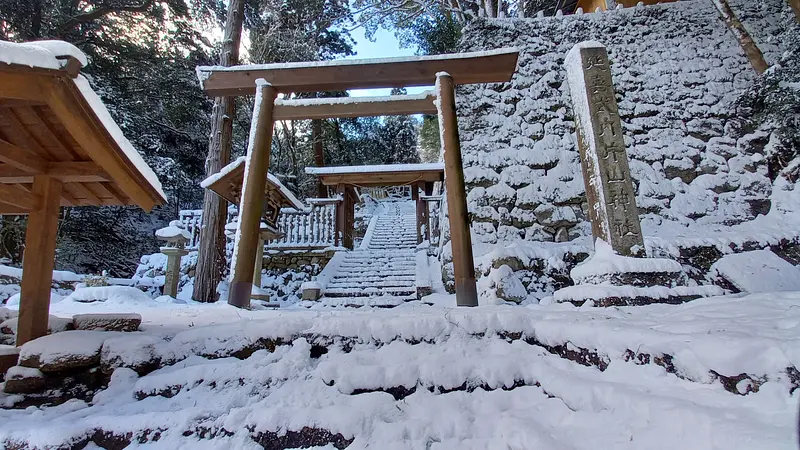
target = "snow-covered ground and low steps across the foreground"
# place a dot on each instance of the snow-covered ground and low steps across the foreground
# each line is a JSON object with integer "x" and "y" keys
{"x": 437, "y": 376}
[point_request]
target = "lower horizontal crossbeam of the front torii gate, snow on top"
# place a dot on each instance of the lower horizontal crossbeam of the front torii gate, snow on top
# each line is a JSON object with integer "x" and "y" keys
{"x": 330, "y": 108}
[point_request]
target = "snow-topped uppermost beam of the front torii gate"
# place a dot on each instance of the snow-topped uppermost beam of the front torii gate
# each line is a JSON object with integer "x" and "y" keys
{"x": 495, "y": 66}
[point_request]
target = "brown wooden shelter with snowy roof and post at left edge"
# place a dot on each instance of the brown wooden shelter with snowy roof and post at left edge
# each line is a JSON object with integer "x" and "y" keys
{"x": 59, "y": 146}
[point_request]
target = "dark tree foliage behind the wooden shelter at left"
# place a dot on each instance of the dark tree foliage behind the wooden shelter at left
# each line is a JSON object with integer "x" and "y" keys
{"x": 142, "y": 57}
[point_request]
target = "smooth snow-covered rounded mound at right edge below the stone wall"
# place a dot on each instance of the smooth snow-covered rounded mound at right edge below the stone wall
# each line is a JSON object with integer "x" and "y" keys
{"x": 758, "y": 271}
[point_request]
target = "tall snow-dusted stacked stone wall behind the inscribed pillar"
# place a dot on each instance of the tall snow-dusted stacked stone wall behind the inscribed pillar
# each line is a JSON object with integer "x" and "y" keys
{"x": 677, "y": 71}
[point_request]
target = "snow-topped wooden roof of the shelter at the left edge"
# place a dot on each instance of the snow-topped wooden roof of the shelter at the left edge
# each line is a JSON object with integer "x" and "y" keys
{"x": 53, "y": 123}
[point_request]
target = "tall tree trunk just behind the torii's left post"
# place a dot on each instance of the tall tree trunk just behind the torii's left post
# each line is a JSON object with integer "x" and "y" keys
{"x": 211, "y": 255}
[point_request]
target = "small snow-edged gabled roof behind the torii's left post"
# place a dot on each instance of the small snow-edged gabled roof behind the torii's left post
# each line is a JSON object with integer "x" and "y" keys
{"x": 227, "y": 183}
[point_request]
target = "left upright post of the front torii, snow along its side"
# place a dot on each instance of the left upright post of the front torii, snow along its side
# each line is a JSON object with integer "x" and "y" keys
{"x": 252, "y": 203}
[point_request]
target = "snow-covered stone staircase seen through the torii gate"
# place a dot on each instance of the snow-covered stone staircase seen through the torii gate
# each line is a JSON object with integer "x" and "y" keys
{"x": 384, "y": 266}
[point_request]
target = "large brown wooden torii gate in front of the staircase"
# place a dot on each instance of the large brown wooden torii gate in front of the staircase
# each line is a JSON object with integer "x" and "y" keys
{"x": 266, "y": 81}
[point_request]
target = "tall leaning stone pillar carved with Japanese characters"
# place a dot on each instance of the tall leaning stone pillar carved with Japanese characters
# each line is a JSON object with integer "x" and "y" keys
{"x": 604, "y": 162}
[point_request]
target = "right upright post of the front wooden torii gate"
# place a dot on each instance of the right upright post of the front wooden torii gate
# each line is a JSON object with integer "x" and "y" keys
{"x": 460, "y": 239}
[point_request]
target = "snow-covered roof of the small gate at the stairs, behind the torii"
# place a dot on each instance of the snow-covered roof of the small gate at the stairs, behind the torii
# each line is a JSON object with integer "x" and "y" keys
{"x": 379, "y": 175}
